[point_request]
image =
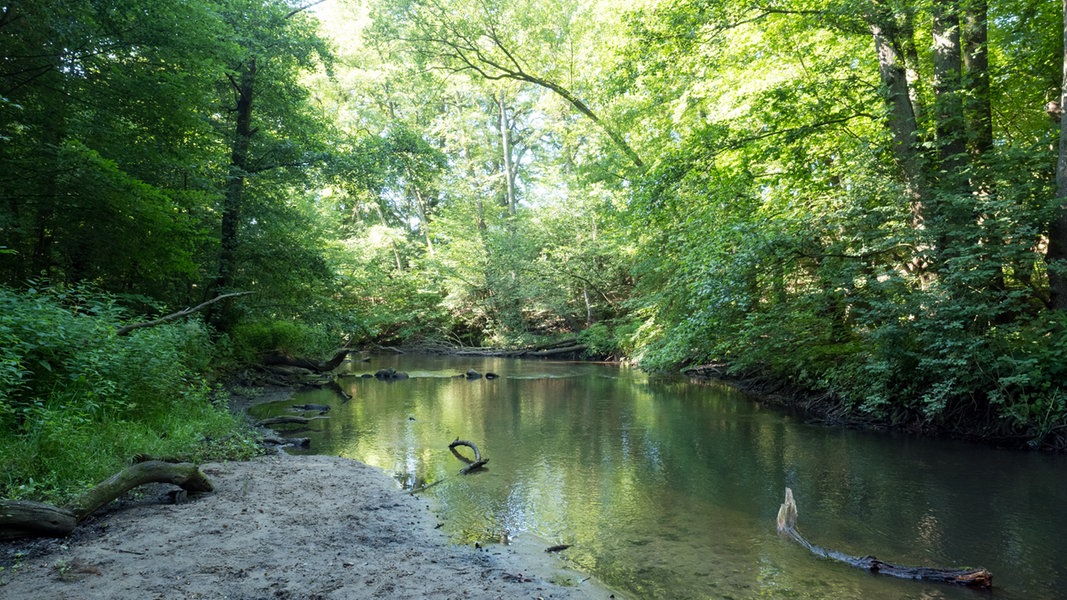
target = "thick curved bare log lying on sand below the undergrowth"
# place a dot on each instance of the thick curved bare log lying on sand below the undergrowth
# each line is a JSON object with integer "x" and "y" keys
{"x": 33, "y": 519}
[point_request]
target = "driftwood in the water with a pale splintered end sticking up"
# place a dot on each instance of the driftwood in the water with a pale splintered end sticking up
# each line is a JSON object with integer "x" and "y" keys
{"x": 972, "y": 578}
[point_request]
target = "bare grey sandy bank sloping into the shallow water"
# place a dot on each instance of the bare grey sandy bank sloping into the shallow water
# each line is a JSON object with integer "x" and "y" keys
{"x": 277, "y": 527}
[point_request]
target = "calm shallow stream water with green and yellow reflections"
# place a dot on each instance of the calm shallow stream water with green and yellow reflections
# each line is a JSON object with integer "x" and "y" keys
{"x": 671, "y": 490}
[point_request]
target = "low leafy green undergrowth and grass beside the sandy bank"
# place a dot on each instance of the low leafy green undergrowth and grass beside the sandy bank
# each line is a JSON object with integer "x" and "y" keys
{"x": 78, "y": 402}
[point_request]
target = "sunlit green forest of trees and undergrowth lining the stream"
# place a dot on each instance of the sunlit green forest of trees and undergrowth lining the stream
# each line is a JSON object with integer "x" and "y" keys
{"x": 857, "y": 204}
